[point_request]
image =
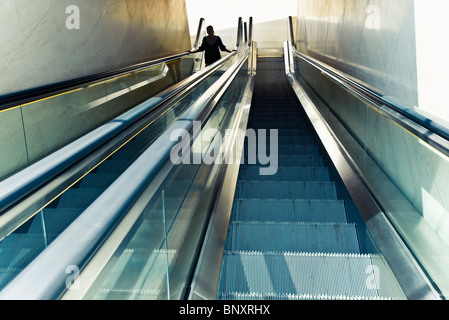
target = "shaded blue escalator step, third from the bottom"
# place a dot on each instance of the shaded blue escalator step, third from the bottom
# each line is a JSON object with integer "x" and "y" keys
{"x": 290, "y": 210}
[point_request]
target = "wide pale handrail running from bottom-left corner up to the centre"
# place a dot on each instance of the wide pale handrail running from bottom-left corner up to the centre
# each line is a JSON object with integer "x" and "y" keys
{"x": 95, "y": 223}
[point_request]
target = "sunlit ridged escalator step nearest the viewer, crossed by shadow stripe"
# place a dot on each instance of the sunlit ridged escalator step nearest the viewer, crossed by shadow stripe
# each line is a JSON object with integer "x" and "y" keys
{"x": 311, "y": 274}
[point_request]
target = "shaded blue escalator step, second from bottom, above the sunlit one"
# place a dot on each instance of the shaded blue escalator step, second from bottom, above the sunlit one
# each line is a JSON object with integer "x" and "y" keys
{"x": 290, "y": 236}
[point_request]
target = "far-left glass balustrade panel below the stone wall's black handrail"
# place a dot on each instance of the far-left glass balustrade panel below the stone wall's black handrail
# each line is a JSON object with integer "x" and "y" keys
{"x": 51, "y": 123}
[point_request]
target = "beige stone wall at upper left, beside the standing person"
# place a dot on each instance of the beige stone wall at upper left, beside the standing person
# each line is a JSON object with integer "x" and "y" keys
{"x": 46, "y": 41}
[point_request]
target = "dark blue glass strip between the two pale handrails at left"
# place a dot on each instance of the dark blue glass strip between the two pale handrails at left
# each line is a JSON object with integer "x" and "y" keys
{"x": 30, "y": 239}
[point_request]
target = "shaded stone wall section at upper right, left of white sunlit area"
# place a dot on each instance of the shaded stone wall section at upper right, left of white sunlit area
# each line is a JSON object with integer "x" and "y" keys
{"x": 372, "y": 40}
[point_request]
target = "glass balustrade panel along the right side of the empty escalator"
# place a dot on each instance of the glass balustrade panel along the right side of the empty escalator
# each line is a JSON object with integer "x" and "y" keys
{"x": 408, "y": 176}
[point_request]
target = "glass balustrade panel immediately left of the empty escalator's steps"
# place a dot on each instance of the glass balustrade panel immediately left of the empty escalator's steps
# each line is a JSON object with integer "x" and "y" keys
{"x": 160, "y": 248}
